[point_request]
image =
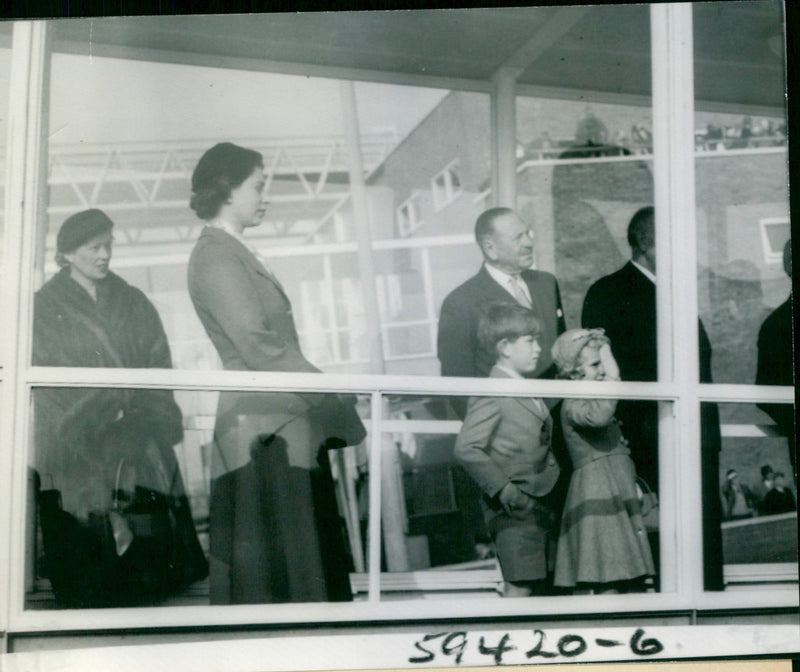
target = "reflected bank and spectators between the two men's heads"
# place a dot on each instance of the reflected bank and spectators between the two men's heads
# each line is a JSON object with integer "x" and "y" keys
{"x": 583, "y": 172}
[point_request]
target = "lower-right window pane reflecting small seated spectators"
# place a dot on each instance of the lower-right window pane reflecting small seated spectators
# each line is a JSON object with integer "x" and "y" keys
{"x": 758, "y": 491}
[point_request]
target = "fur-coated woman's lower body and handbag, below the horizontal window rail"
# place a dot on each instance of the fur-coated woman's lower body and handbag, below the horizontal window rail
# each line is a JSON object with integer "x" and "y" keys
{"x": 115, "y": 522}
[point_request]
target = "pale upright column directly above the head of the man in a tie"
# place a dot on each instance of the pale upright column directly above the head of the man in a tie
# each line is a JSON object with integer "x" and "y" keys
{"x": 504, "y": 137}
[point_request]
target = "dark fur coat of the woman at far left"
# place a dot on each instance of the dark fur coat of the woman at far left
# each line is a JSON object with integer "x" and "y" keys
{"x": 120, "y": 329}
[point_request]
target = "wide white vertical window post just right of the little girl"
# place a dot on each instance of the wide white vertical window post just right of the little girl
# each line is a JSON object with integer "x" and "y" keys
{"x": 676, "y": 270}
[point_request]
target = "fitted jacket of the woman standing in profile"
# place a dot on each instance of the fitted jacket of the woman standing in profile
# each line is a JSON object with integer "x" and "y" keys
{"x": 248, "y": 318}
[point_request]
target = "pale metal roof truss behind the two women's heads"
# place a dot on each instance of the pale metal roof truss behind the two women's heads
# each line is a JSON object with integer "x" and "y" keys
{"x": 145, "y": 187}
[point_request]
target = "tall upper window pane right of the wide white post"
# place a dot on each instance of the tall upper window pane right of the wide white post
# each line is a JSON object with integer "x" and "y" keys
{"x": 742, "y": 197}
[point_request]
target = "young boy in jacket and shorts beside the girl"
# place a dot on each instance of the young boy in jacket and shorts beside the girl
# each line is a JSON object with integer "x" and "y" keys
{"x": 504, "y": 445}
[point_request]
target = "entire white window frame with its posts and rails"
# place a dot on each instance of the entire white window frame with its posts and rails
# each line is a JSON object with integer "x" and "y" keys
{"x": 682, "y": 587}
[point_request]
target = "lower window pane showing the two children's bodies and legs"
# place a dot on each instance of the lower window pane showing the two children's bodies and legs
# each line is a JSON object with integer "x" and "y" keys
{"x": 468, "y": 508}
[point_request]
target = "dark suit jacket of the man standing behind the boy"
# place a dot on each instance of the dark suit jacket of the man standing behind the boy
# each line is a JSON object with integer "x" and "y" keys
{"x": 458, "y": 348}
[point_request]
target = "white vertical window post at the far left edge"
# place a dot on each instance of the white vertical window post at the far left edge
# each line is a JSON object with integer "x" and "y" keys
{"x": 27, "y": 137}
